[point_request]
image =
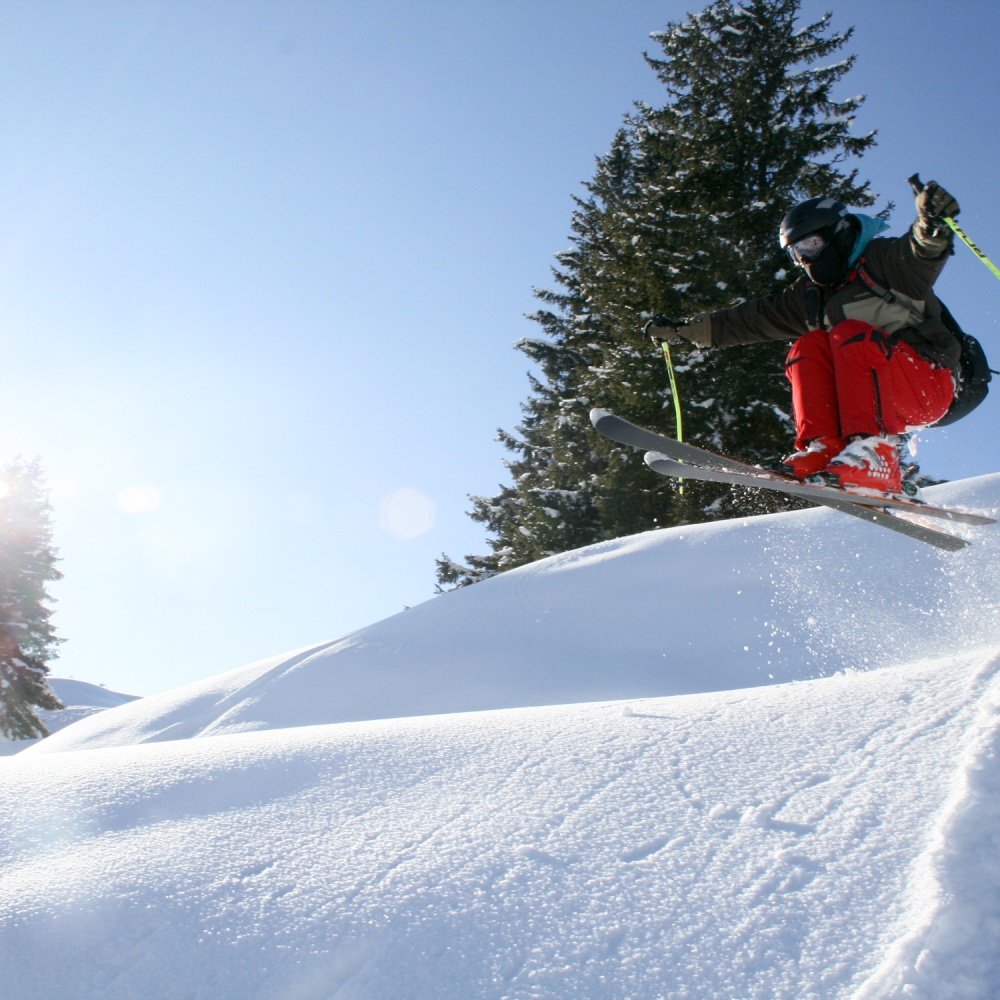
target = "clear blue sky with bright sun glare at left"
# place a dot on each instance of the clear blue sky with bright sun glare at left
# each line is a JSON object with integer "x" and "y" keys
{"x": 262, "y": 265}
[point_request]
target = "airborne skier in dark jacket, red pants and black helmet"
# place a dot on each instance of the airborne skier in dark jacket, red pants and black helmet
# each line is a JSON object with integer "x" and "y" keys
{"x": 872, "y": 357}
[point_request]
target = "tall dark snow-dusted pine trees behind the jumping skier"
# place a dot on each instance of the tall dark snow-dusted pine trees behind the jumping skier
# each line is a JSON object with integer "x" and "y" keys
{"x": 681, "y": 217}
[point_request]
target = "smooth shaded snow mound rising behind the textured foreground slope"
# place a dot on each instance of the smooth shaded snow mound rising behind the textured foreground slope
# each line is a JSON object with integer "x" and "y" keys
{"x": 721, "y": 606}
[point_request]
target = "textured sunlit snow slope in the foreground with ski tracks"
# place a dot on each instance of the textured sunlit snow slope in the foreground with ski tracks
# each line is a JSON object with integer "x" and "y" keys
{"x": 816, "y": 839}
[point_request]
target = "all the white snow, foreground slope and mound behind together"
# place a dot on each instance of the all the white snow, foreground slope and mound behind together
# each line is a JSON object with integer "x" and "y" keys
{"x": 749, "y": 759}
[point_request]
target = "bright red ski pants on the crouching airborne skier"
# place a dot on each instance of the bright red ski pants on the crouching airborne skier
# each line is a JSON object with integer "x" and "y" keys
{"x": 856, "y": 379}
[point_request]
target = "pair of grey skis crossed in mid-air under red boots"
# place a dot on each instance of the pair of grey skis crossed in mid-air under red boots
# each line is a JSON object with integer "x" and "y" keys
{"x": 685, "y": 461}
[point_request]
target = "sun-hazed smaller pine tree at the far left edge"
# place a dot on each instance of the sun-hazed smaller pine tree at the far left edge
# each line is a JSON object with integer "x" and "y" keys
{"x": 27, "y": 564}
